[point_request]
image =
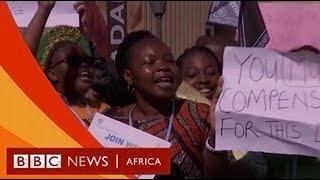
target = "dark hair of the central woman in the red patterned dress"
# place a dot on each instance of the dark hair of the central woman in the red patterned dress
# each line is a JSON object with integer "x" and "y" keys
{"x": 124, "y": 49}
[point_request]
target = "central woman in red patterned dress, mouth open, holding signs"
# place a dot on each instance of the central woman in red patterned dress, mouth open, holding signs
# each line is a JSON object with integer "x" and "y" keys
{"x": 147, "y": 67}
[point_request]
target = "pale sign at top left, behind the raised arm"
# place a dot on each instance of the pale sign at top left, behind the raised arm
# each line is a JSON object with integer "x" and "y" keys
{"x": 62, "y": 13}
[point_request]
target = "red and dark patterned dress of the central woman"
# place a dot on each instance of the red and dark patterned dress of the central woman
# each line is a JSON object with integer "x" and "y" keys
{"x": 190, "y": 130}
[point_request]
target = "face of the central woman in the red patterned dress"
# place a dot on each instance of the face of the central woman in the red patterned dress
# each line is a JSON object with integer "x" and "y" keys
{"x": 153, "y": 71}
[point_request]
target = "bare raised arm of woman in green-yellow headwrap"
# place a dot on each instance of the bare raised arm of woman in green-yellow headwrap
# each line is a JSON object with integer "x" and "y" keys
{"x": 35, "y": 28}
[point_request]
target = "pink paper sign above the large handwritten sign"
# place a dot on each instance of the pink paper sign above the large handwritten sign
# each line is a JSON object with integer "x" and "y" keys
{"x": 280, "y": 17}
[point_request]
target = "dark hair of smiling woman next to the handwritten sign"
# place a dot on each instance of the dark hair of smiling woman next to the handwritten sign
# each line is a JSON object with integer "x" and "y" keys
{"x": 202, "y": 50}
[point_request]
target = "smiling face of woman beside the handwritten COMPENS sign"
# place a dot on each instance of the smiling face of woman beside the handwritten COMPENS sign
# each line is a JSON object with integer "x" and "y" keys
{"x": 201, "y": 72}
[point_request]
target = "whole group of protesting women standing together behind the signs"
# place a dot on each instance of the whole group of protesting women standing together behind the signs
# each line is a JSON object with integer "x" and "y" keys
{"x": 143, "y": 93}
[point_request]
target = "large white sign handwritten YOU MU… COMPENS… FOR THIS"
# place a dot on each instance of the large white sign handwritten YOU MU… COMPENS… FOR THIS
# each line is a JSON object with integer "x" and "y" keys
{"x": 270, "y": 102}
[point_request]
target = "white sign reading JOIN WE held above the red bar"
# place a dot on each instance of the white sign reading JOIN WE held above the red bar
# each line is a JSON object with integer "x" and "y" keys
{"x": 114, "y": 134}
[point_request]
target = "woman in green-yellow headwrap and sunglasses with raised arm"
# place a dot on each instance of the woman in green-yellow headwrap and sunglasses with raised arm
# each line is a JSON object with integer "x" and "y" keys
{"x": 63, "y": 55}
